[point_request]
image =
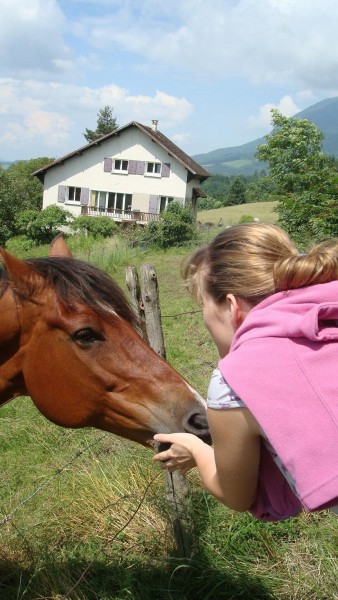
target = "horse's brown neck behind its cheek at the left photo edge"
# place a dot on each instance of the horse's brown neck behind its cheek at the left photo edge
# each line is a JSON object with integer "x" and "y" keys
{"x": 11, "y": 381}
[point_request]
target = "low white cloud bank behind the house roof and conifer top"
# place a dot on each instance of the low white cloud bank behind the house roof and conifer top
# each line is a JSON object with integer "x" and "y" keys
{"x": 54, "y": 115}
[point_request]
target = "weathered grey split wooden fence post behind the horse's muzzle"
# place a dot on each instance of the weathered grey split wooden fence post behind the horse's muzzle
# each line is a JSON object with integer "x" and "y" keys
{"x": 177, "y": 490}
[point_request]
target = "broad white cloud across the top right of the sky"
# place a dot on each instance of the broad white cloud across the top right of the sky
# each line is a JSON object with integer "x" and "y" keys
{"x": 280, "y": 41}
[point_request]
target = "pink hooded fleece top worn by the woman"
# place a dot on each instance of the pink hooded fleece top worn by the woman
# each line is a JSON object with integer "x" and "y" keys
{"x": 283, "y": 364}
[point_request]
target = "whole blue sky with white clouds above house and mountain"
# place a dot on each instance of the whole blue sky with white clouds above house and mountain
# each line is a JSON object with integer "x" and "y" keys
{"x": 209, "y": 72}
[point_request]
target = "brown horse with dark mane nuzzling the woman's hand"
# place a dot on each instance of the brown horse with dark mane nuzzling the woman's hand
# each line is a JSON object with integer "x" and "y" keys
{"x": 67, "y": 340}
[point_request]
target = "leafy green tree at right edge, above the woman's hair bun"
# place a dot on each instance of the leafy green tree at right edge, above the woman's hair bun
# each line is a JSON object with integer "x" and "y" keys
{"x": 306, "y": 178}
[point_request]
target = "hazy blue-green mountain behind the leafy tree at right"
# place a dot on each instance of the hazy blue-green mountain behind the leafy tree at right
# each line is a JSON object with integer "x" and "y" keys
{"x": 240, "y": 160}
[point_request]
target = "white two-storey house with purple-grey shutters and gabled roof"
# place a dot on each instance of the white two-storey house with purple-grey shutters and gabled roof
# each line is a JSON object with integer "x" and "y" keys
{"x": 129, "y": 174}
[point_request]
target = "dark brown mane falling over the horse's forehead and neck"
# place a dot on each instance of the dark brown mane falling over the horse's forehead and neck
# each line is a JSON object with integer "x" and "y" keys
{"x": 78, "y": 282}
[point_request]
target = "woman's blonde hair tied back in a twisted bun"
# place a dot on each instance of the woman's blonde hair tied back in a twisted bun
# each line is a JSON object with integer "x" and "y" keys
{"x": 254, "y": 260}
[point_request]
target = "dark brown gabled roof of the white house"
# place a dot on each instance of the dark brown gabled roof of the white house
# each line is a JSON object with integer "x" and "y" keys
{"x": 156, "y": 136}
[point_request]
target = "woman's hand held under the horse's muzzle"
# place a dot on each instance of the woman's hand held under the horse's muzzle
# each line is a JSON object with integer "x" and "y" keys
{"x": 180, "y": 455}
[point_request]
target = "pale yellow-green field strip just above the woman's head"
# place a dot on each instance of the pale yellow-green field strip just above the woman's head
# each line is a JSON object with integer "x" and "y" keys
{"x": 231, "y": 214}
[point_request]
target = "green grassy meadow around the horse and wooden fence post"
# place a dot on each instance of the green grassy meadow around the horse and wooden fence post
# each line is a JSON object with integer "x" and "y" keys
{"x": 88, "y": 519}
